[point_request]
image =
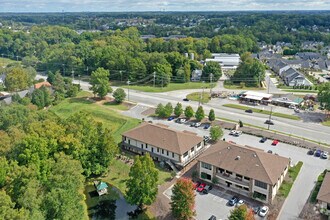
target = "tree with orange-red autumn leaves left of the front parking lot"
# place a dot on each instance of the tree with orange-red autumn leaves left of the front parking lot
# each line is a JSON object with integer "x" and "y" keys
{"x": 183, "y": 199}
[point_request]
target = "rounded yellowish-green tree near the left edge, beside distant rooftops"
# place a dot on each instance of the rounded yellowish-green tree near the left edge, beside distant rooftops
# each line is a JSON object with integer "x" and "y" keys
{"x": 17, "y": 79}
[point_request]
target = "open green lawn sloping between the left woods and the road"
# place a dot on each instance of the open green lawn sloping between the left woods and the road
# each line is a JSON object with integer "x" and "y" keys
{"x": 110, "y": 118}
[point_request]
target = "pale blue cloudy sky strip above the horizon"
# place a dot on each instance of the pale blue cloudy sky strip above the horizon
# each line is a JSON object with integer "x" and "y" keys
{"x": 158, "y": 5}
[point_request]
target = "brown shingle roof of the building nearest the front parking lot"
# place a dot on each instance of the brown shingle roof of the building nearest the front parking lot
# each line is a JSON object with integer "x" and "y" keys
{"x": 246, "y": 161}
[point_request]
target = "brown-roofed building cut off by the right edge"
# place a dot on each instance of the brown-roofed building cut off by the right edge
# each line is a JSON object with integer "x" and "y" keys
{"x": 323, "y": 197}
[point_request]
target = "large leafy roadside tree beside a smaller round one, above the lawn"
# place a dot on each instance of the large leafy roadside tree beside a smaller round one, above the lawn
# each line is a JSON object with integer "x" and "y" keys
{"x": 100, "y": 82}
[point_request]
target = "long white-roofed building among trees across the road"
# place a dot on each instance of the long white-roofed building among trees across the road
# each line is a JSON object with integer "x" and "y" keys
{"x": 226, "y": 61}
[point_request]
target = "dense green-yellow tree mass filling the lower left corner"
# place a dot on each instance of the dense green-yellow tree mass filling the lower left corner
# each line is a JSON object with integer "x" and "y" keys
{"x": 44, "y": 161}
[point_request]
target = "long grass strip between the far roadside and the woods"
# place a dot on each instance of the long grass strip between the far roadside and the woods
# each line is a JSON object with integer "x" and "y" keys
{"x": 170, "y": 87}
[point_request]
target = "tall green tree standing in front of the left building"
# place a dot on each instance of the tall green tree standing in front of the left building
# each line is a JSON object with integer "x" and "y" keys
{"x": 142, "y": 183}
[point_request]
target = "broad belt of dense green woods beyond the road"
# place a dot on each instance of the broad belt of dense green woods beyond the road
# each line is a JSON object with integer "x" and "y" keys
{"x": 54, "y": 48}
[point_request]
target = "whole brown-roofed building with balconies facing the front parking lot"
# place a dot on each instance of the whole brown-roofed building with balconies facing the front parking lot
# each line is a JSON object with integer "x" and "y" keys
{"x": 245, "y": 170}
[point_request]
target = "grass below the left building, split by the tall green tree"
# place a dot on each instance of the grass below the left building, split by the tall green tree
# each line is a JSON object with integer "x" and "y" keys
{"x": 118, "y": 175}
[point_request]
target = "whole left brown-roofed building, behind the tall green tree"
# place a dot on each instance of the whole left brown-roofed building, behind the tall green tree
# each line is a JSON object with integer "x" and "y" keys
{"x": 164, "y": 144}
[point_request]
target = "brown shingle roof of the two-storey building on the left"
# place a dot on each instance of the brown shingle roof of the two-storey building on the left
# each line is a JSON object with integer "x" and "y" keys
{"x": 160, "y": 136}
